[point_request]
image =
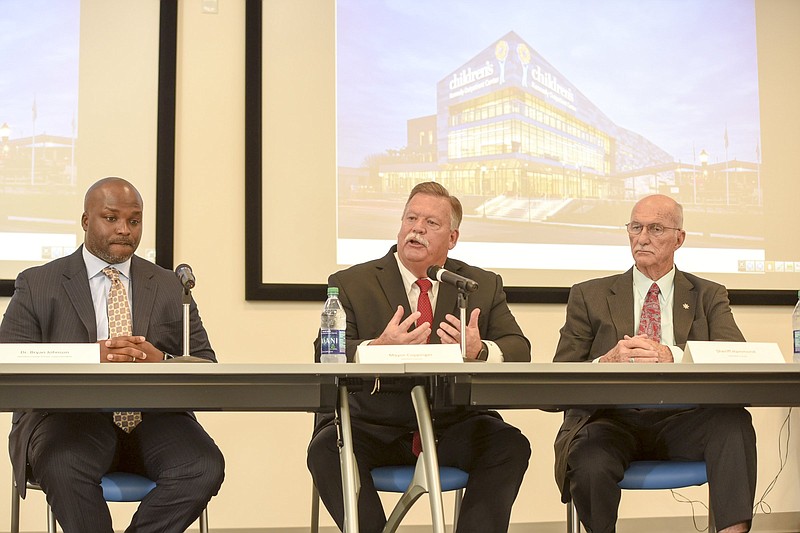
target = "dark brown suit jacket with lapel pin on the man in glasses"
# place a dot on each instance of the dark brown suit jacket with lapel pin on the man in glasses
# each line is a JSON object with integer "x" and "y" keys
{"x": 600, "y": 312}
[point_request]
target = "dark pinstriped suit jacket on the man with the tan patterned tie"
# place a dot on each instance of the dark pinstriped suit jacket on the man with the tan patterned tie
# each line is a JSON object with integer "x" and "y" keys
{"x": 53, "y": 303}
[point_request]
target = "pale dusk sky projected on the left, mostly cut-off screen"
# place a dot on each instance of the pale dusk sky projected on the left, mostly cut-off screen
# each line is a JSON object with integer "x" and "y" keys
{"x": 39, "y": 40}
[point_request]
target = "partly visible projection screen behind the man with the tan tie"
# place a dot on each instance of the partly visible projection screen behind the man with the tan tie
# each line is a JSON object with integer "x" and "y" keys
{"x": 80, "y": 101}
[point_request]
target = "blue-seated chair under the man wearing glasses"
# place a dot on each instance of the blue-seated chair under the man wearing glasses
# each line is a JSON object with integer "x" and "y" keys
{"x": 655, "y": 475}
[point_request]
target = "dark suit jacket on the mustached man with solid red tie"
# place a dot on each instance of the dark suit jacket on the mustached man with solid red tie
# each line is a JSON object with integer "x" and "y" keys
{"x": 370, "y": 293}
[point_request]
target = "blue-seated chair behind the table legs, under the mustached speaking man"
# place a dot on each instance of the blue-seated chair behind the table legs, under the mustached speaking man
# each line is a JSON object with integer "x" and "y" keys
{"x": 402, "y": 479}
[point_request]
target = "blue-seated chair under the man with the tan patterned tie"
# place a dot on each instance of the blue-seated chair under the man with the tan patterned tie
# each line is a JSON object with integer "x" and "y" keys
{"x": 117, "y": 487}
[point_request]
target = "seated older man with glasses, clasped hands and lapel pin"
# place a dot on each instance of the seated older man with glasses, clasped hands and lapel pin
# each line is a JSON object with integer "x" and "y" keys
{"x": 594, "y": 447}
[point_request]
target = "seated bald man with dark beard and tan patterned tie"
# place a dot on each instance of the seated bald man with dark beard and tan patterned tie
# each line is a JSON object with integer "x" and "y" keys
{"x": 65, "y": 301}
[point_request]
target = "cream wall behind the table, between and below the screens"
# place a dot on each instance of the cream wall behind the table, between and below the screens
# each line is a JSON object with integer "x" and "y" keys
{"x": 267, "y": 484}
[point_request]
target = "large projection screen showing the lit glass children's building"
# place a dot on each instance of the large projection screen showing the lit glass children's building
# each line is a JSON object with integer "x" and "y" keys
{"x": 548, "y": 120}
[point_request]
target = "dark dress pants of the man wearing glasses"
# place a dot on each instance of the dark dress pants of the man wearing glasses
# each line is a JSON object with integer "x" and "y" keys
{"x": 602, "y": 450}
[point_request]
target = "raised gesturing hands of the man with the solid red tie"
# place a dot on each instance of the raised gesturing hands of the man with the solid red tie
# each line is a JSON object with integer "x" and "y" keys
{"x": 398, "y": 331}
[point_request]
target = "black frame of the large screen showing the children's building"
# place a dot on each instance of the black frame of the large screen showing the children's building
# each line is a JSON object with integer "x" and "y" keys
{"x": 257, "y": 290}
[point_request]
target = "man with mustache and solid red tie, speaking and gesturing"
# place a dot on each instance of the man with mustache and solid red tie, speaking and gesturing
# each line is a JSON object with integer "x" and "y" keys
{"x": 381, "y": 300}
